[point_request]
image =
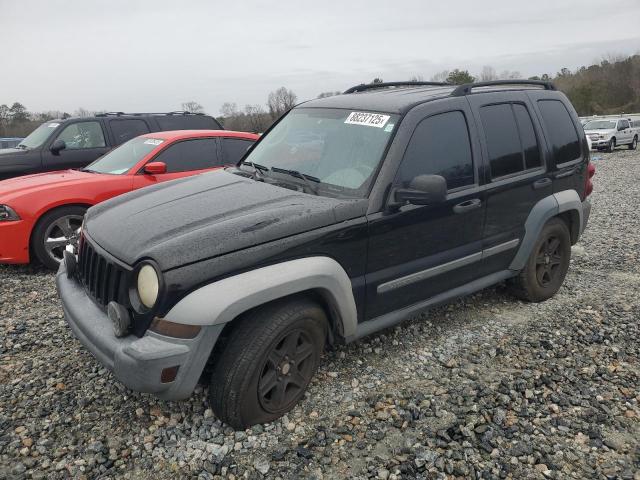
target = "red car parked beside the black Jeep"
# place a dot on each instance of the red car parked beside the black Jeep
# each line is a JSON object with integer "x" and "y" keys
{"x": 41, "y": 214}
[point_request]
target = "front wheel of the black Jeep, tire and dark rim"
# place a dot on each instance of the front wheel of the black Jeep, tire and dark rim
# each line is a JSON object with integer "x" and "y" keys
{"x": 267, "y": 362}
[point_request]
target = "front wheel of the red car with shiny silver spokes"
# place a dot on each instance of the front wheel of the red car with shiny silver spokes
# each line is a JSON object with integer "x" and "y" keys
{"x": 54, "y": 231}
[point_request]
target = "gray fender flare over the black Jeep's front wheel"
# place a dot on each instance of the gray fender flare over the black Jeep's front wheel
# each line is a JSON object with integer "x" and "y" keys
{"x": 222, "y": 301}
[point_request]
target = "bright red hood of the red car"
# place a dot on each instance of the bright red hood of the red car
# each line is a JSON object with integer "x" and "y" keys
{"x": 41, "y": 182}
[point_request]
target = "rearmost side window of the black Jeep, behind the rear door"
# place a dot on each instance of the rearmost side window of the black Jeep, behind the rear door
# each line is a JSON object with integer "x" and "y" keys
{"x": 562, "y": 133}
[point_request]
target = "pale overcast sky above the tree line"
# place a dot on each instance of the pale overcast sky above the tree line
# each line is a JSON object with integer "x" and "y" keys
{"x": 152, "y": 55}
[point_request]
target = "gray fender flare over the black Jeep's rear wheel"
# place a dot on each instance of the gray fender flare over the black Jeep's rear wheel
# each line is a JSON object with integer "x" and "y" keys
{"x": 548, "y": 207}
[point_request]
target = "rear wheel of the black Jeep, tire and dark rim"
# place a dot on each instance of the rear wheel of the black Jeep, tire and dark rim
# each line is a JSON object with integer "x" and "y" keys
{"x": 547, "y": 266}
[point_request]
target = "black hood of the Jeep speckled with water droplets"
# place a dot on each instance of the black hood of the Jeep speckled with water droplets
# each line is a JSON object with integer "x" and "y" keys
{"x": 200, "y": 217}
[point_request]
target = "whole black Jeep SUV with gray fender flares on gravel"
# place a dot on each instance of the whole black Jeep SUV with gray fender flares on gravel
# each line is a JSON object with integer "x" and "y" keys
{"x": 351, "y": 214}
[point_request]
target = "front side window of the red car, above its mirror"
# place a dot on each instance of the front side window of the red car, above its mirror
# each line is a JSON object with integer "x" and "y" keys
{"x": 189, "y": 155}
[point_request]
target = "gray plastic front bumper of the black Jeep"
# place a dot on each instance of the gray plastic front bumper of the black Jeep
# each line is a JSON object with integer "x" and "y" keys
{"x": 136, "y": 362}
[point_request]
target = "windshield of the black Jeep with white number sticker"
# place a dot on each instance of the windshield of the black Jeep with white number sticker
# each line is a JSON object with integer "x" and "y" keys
{"x": 339, "y": 149}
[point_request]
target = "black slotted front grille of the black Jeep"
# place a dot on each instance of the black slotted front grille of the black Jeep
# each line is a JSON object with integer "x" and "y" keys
{"x": 103, "y": 279}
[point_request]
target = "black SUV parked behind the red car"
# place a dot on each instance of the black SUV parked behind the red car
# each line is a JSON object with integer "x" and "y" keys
{"x": 76, "y": 142}
